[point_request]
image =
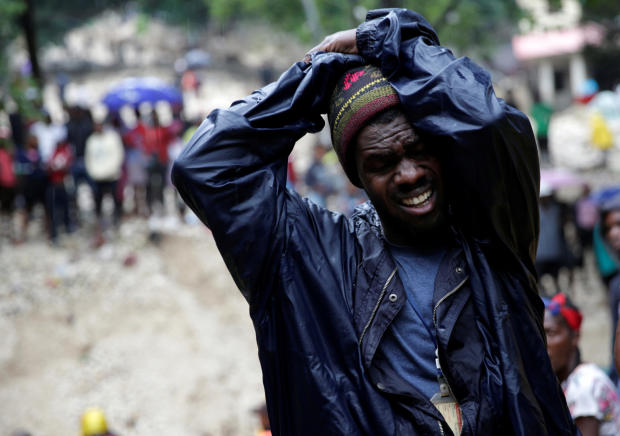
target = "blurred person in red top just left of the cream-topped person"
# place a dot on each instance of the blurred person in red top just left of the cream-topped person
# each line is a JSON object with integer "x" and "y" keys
{"x": 56, "y": 197}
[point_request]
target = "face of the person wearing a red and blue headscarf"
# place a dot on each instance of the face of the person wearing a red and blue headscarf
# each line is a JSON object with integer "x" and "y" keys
{"x": 561, "y": 342}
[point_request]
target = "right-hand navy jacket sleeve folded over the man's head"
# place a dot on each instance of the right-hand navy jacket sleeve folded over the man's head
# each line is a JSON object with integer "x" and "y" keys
{"x": 489, "y": 155}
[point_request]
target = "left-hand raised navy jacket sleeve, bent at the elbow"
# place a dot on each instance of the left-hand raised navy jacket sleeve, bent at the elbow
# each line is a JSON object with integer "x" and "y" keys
{"x": 232, "y": 173}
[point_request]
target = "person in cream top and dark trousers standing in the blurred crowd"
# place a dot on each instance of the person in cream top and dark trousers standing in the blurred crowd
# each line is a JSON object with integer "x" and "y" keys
{"x": 104, "y": 161}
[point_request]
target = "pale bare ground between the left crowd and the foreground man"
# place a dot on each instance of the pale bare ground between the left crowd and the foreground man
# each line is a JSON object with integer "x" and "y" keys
{"x": 150, "y": 328}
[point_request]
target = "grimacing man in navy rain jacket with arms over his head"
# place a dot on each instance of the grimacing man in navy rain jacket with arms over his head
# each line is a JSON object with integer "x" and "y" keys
{"x": 350, "y": 314}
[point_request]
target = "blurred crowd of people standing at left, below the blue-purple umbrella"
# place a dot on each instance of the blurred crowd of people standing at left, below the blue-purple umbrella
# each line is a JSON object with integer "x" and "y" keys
{"x": 44, "y": 163}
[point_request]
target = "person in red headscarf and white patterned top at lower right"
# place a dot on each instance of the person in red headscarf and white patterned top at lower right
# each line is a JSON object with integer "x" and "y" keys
{"x": 591, "y": 396}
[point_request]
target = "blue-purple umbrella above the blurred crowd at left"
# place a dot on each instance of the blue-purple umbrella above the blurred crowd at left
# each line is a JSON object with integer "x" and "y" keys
{"x": 133, "y": 91}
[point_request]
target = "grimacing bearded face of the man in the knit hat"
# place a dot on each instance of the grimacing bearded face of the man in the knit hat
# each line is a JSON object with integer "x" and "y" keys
{"x": 402, "y": 178}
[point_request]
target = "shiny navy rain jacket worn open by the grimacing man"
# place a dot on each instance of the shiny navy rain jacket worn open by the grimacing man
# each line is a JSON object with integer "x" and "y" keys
{"x": 323, "y": 289}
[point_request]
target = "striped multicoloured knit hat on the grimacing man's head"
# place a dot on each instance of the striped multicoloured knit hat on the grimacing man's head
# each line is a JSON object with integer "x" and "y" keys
{"x": 359, "y": 95}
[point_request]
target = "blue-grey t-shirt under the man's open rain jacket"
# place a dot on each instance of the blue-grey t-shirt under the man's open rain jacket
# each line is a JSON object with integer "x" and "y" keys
{"x": 407, "y": 345}
